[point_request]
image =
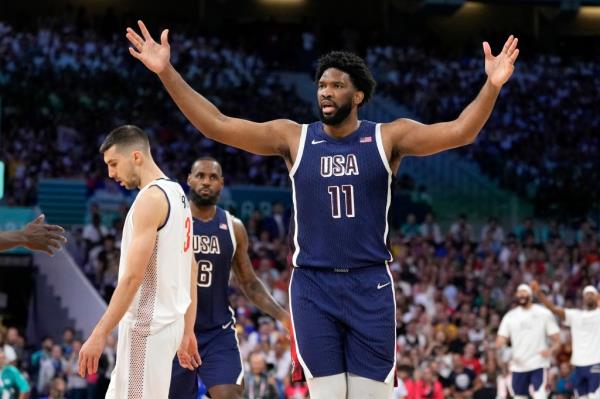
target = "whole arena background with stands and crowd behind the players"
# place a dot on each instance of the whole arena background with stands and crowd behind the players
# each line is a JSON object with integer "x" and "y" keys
{"x": 521, "y": 203}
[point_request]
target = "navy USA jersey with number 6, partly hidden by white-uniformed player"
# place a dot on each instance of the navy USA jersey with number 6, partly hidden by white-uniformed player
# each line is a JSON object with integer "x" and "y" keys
{"x": 214, "y": 247}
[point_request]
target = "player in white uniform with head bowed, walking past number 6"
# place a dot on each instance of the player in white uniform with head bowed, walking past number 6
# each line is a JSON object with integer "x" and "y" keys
{"x": 155, "y": 276}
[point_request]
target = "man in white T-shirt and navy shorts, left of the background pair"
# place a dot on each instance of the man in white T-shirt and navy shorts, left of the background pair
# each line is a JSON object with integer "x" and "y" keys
{"x": 528, "y": 326}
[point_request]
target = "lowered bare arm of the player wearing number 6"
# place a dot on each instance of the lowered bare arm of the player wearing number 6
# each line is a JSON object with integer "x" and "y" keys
{"x": 250, "y": 284}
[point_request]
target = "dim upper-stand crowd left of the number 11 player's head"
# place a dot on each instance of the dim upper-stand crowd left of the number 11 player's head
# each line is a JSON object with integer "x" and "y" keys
{"x": 49, "y": 73}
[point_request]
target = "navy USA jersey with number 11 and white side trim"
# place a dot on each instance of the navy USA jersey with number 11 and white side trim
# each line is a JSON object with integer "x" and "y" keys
{"x": 342, "y": 193}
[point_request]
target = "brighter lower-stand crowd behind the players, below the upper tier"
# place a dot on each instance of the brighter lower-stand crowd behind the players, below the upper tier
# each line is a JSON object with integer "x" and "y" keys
{"x": 452, "y": 288}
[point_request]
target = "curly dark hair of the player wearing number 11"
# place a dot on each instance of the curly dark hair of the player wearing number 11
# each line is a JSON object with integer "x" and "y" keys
{"x": 354, "y": 66}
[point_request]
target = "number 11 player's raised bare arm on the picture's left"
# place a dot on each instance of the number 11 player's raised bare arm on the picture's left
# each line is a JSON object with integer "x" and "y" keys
{"x": 268, "y": 138}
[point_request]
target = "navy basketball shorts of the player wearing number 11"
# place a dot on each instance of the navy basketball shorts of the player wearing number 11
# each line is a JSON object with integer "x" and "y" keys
{"x": 344, "y": 321}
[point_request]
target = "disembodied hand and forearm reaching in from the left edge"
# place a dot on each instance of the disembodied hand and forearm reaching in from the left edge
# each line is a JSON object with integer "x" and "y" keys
{"x": 36, "y": 235}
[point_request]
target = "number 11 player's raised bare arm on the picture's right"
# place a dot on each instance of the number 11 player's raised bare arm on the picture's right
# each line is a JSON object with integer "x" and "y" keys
{"x": 408, "y": 137}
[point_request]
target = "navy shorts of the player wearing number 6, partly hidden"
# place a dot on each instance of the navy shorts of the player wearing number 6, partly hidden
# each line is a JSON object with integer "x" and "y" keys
{"x": 221, "y": 364}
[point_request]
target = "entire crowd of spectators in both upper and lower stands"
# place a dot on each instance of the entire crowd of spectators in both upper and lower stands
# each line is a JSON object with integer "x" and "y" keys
{"x": 452, "y": 286}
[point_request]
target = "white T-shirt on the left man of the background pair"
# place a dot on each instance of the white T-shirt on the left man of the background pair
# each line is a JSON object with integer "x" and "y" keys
{"x": 528, "y": 330}
